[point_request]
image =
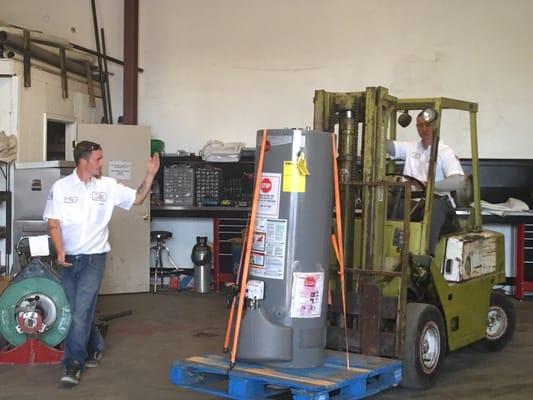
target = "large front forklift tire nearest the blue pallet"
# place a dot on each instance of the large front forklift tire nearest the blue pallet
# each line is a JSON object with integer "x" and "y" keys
{"x": 425, "y": 346}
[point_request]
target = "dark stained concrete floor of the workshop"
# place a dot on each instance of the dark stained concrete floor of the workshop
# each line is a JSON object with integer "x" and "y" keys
{"x": 169, "y": 326}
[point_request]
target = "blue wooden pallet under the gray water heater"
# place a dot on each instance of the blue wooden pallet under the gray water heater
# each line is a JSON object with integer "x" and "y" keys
{"x": 367, "y": 376}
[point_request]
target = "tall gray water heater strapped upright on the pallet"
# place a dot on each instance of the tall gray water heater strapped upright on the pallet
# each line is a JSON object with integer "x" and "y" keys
{"x": 285, "y": 320}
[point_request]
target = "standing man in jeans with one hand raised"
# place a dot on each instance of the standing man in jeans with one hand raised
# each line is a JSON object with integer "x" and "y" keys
{"x": 78, "y": 210}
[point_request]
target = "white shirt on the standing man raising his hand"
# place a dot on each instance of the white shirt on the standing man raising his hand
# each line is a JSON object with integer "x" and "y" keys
{"x": 84, "y": 211}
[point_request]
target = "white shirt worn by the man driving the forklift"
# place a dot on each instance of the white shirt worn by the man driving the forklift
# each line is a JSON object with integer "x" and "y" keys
{"x": 417, "y": 161}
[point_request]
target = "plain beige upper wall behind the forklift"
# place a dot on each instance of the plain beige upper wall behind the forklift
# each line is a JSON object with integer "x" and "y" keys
{"x": 221, "y": 69}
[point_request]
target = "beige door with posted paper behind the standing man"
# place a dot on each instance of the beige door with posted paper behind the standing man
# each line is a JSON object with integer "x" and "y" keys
{"x": 126, "y": 149}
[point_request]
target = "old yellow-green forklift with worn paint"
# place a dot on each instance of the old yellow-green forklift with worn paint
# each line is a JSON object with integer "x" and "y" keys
{"x": 403, "y": 300}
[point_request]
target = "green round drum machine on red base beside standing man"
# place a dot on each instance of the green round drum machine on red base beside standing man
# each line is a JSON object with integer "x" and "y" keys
{"x": 34, "y": 312}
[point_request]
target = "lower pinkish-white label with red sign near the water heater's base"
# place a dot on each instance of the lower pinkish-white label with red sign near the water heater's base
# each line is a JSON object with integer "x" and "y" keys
{"x": 307, "y": 292}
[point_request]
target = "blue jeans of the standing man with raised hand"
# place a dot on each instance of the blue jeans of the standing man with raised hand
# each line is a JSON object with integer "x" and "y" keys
{"x": 81, "y": 283}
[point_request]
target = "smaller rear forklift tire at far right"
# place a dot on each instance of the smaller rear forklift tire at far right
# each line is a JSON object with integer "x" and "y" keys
{"x": 501, "y": 323}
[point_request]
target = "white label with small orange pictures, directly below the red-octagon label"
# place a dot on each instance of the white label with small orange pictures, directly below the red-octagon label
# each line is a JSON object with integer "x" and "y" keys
{"x": 268, "y": 248}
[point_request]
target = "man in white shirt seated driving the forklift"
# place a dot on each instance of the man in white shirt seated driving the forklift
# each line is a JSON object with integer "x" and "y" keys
{"x": 448, "y": 173}
